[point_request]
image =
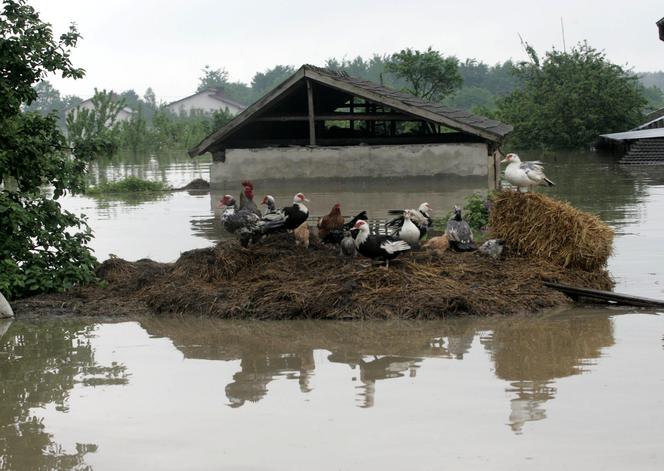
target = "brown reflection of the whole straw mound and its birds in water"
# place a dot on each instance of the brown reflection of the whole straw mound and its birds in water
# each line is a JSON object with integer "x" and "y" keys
{"x": 529, "y": 354}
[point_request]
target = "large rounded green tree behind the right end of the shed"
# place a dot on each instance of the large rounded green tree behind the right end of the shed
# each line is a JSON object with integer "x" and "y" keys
{"x": 569, "y": 98}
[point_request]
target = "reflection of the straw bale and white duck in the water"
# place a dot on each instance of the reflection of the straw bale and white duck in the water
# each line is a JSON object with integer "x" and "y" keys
{"x": 532, "y": 353}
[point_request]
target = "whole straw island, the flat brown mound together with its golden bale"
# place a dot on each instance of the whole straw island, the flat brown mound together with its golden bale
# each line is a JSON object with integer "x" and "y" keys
{"x": 547, "y": 240}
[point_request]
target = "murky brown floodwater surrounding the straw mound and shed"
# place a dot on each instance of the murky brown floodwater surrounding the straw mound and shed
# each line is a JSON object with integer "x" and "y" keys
{"x": 573, "y": 388}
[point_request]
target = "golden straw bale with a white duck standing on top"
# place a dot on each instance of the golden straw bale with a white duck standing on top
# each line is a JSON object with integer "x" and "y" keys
{"x": 542, "y": 228}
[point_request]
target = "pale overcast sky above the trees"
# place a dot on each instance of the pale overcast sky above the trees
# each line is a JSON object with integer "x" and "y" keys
{"x": 164, "y": 44}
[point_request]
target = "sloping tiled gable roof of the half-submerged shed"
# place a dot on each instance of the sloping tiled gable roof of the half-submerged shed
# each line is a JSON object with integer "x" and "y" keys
{"x": 404, "y": 102}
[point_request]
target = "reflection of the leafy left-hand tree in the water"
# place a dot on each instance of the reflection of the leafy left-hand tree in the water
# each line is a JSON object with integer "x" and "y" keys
{"x": 39, "y": 365}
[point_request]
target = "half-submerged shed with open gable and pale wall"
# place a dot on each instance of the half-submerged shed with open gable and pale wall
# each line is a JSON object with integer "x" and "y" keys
{"x": 325, "y": 124}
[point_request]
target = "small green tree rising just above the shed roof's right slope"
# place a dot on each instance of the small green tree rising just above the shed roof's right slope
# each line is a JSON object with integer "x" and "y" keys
{"x": 430, "y": 75}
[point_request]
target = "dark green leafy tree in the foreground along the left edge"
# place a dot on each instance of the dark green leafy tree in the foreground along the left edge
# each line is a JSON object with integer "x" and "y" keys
{"x": 42, "y": 247}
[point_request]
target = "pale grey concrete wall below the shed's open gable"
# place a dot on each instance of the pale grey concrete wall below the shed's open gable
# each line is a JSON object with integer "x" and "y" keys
{"x": 355, "y": 161}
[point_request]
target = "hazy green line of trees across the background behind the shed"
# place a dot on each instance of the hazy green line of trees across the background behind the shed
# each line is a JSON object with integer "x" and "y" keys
{"x": 498, "y": 90}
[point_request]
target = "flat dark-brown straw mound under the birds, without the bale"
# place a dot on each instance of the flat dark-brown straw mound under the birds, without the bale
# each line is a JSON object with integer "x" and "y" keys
{"x": 278, "y": 280}
